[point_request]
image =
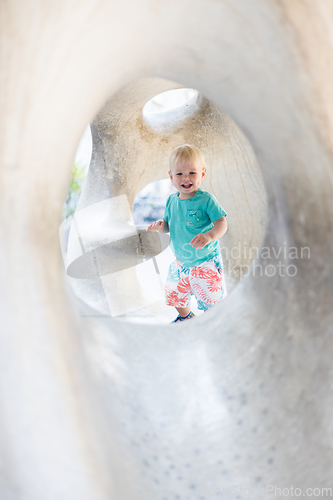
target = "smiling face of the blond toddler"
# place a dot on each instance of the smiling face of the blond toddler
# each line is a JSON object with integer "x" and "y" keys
{"x": 187, "y": 177}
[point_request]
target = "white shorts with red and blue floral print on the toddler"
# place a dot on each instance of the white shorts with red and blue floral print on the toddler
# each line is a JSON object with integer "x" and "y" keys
{"x": 204, "y": 281}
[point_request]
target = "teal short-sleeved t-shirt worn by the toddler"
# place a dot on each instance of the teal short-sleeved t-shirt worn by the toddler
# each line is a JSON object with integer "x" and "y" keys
{"x": 186, "y": 219}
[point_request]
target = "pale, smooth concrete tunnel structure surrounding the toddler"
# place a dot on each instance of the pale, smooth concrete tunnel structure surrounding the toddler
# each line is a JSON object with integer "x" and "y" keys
{"x": 97, "y": 407}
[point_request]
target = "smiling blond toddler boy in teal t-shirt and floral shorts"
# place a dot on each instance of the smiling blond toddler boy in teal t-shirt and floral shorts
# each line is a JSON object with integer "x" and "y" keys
{"x": 195, "y": 221}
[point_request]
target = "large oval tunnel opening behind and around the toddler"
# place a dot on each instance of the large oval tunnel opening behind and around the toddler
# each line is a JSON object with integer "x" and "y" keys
{"x": 114, "y": 266}
